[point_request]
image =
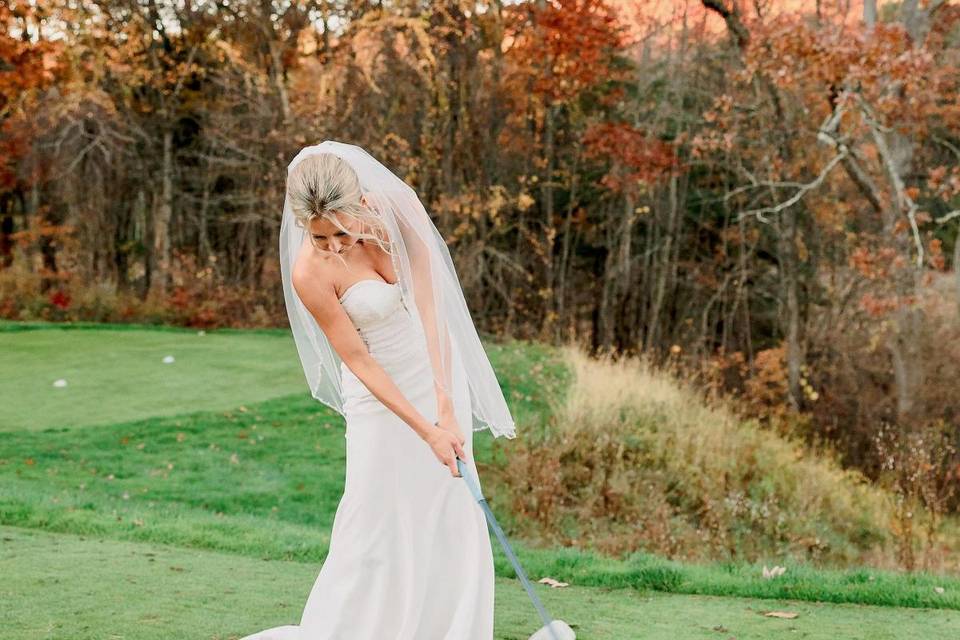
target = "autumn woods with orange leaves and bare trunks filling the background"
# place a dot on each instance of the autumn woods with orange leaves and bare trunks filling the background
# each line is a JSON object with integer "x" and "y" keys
{"x": 767, "y": 194}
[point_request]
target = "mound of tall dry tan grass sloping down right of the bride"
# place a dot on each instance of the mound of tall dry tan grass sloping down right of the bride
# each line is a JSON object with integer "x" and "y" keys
{"x": 634, "y": 459}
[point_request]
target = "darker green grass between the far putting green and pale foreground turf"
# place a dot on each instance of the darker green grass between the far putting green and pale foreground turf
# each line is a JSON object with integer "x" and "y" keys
{"x": 265, "y": 481}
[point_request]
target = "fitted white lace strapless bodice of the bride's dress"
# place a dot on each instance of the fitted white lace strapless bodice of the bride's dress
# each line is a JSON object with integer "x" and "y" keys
{"x": 393, "y": 337}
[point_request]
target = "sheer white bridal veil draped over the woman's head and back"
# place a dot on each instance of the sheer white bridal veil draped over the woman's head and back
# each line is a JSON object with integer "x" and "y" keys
{"x": 427, "y": 278}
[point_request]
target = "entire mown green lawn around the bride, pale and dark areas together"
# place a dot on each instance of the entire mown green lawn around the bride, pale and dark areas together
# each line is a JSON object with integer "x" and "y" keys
{"x": 231, "y": 473}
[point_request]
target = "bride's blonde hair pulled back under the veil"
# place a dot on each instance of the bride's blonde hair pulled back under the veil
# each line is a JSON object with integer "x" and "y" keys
{"x": 322, "y": 185}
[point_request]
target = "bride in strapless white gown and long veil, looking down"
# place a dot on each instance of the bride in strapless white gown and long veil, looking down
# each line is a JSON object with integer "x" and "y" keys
{"x": 385, "y": 339}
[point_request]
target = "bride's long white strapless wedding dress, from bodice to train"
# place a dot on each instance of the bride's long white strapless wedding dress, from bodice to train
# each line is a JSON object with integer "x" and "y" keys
{"x": 409, "y": 557}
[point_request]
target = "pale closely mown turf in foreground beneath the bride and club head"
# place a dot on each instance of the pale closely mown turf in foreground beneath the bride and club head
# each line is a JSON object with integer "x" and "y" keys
{"x": 86, "y": 588}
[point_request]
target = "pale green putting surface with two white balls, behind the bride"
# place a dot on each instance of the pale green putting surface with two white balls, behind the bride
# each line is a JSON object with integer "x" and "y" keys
{"x": 120, "y": 375}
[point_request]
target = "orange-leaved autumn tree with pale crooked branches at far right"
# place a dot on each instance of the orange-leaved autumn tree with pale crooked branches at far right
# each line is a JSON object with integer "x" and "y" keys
{"x": 838, "y": 134}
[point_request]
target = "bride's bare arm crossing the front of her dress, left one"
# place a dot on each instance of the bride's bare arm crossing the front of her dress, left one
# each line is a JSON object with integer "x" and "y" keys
{"x": 323, "y": 304}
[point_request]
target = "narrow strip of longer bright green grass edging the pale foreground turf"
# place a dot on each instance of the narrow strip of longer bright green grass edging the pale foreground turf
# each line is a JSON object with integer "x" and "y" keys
{"x": 252, "y": 536}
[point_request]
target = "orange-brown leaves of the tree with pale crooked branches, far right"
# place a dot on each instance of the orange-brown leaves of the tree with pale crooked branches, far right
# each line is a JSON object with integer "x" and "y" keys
{"x": 806, "y": 72}
